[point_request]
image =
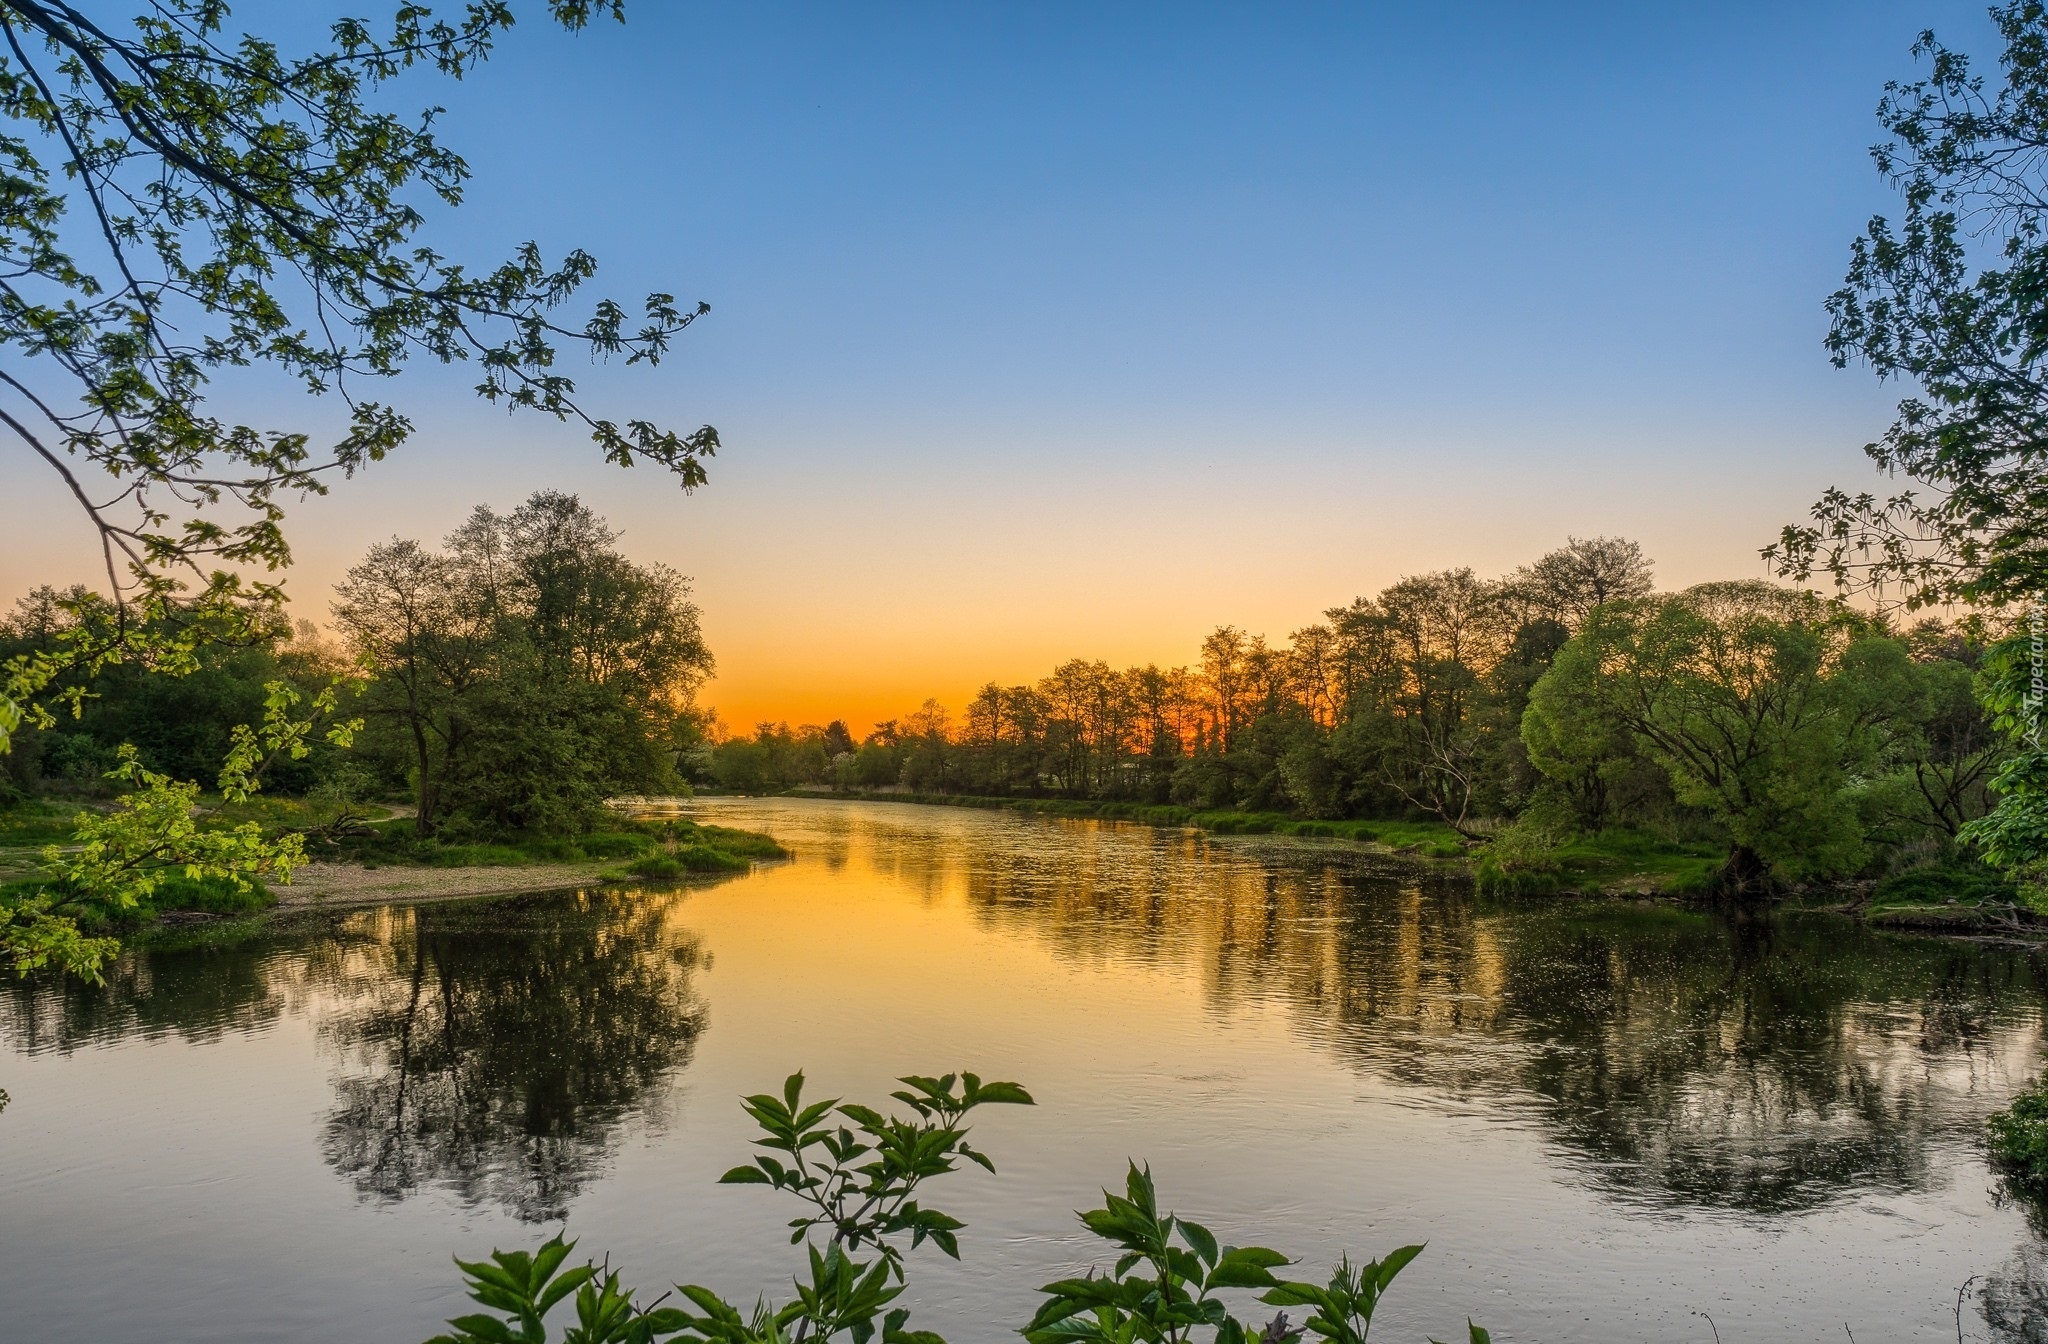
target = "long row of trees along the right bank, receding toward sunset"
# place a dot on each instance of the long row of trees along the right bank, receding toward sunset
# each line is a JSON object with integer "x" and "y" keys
{"x": 1568, "y": 698}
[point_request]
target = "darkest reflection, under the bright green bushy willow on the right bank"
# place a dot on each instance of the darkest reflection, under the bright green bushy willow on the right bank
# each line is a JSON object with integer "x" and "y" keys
{"x": 1762, "y": 1068}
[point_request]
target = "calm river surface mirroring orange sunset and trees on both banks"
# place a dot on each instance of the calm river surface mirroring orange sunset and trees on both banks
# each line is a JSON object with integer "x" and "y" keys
{"x": 1607, "y": 1122}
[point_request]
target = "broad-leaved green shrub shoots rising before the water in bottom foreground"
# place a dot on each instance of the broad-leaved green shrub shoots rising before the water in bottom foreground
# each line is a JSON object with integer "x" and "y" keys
{"x": 859, "y": 1177}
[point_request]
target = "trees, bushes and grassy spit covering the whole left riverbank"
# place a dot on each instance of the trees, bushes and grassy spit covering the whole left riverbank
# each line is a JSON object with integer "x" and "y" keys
{"x": 505, "y": 685}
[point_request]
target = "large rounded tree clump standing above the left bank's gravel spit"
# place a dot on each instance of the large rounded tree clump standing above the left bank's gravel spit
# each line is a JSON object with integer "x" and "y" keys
{"x": 523, "y": 675}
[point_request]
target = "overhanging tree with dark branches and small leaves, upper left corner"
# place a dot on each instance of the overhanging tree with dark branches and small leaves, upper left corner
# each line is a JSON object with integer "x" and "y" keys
{"x": 179, "y": 200}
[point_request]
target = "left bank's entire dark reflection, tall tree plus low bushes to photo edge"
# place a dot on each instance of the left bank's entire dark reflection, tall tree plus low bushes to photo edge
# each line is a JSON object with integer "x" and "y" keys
{"x": 490, "y": 1050}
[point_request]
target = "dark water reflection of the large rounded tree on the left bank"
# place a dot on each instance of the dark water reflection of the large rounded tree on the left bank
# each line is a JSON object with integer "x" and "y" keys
{"x": 499, "y": 1048}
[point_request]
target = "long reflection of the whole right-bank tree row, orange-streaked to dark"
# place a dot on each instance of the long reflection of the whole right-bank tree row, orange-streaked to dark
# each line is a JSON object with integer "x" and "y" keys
{"x": 1689, "y": 1062}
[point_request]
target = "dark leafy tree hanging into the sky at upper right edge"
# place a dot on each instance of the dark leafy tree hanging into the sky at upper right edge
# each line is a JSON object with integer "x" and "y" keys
{"x": 1965, "y": 323}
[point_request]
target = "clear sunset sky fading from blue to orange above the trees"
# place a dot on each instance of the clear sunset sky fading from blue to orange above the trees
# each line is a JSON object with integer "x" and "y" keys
{"x": 1052, "y": 331}
